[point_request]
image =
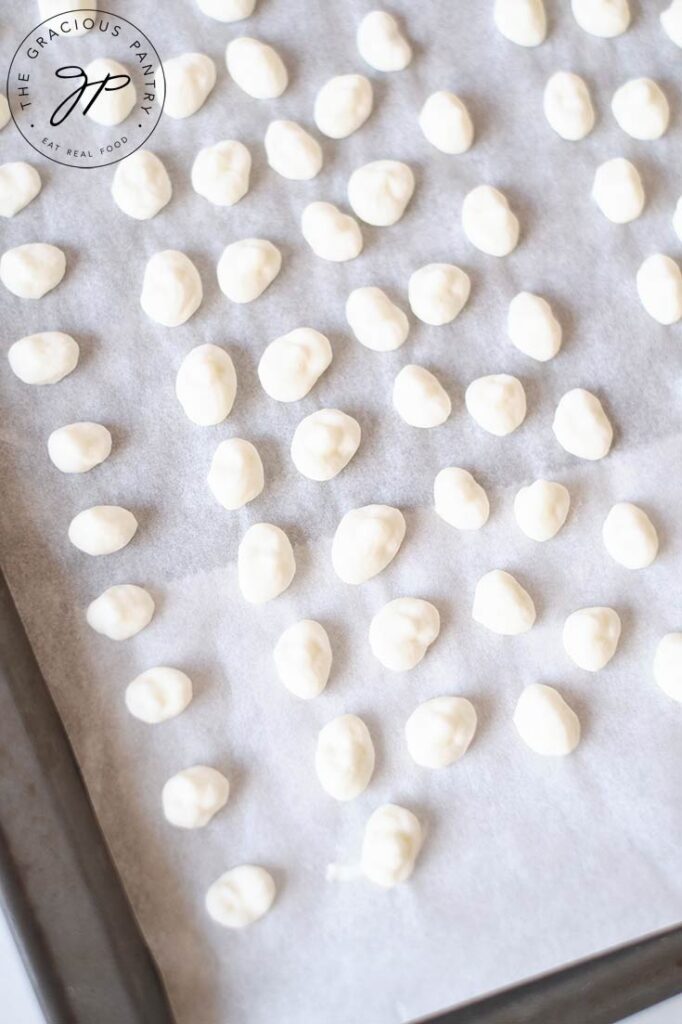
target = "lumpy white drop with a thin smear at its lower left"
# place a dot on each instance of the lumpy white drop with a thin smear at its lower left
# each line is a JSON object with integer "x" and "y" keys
{"x": 391, "y": 847}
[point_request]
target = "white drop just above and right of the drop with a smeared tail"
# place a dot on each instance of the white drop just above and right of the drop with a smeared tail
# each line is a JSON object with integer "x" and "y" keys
{"x": 440, "y": 732}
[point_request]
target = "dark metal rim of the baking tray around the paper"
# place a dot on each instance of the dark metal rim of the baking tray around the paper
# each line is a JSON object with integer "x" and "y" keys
{"x": 77, "y": 932}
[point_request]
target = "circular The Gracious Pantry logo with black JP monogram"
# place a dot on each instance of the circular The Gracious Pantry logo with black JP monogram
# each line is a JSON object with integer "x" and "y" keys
{"x": 87, "y": 89}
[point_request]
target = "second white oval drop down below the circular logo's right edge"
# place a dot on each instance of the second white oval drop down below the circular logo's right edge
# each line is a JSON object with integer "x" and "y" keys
{"x": 173, "y": 290}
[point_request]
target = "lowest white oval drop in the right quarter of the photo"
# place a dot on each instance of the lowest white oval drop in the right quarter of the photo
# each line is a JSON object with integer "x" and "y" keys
{"x": 545, "y": 722}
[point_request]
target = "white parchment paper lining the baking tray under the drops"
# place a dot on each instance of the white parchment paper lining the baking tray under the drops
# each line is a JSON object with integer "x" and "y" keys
{"x": 528, "y": 864}
